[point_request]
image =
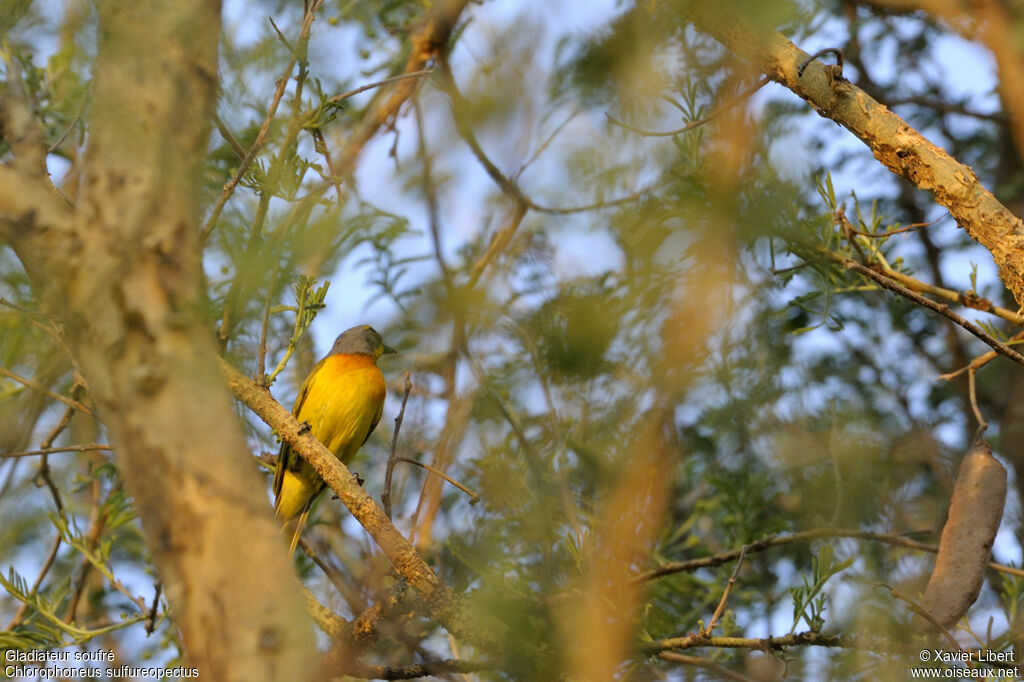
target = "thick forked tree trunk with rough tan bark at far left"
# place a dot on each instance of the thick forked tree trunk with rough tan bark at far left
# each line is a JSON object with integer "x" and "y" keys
{"x": 122, "y": 271}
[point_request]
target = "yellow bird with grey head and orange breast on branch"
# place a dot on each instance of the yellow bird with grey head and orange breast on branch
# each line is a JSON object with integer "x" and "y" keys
{"x": 343, "y": 401}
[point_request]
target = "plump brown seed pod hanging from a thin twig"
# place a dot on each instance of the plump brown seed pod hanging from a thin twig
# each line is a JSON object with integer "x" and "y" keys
{"x": 975, "y": 513}
